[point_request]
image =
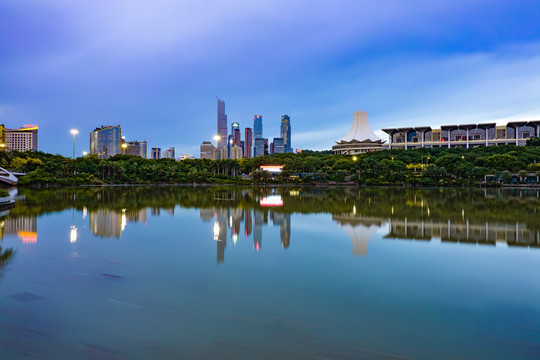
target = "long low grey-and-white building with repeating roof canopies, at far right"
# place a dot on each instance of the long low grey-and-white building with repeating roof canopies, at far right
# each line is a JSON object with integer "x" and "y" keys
{"x": 464, "y": 136}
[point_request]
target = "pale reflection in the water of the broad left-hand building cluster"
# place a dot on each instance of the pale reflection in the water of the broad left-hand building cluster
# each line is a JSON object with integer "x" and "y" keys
{"x": 108, "y": 223}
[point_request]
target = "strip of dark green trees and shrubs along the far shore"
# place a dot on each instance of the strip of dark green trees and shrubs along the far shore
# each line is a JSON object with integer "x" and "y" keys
{"x": 429, "y": 167}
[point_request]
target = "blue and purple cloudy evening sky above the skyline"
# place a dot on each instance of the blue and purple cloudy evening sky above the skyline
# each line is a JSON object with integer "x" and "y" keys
{"x": 156, "y": 67}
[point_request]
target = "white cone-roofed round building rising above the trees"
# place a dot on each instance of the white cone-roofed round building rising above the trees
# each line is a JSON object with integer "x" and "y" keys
{"x": 359, "y": 139}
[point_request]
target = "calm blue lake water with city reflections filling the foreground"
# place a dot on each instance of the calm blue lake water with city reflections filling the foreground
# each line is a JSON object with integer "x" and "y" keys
{"x": 230, "y": 273}
